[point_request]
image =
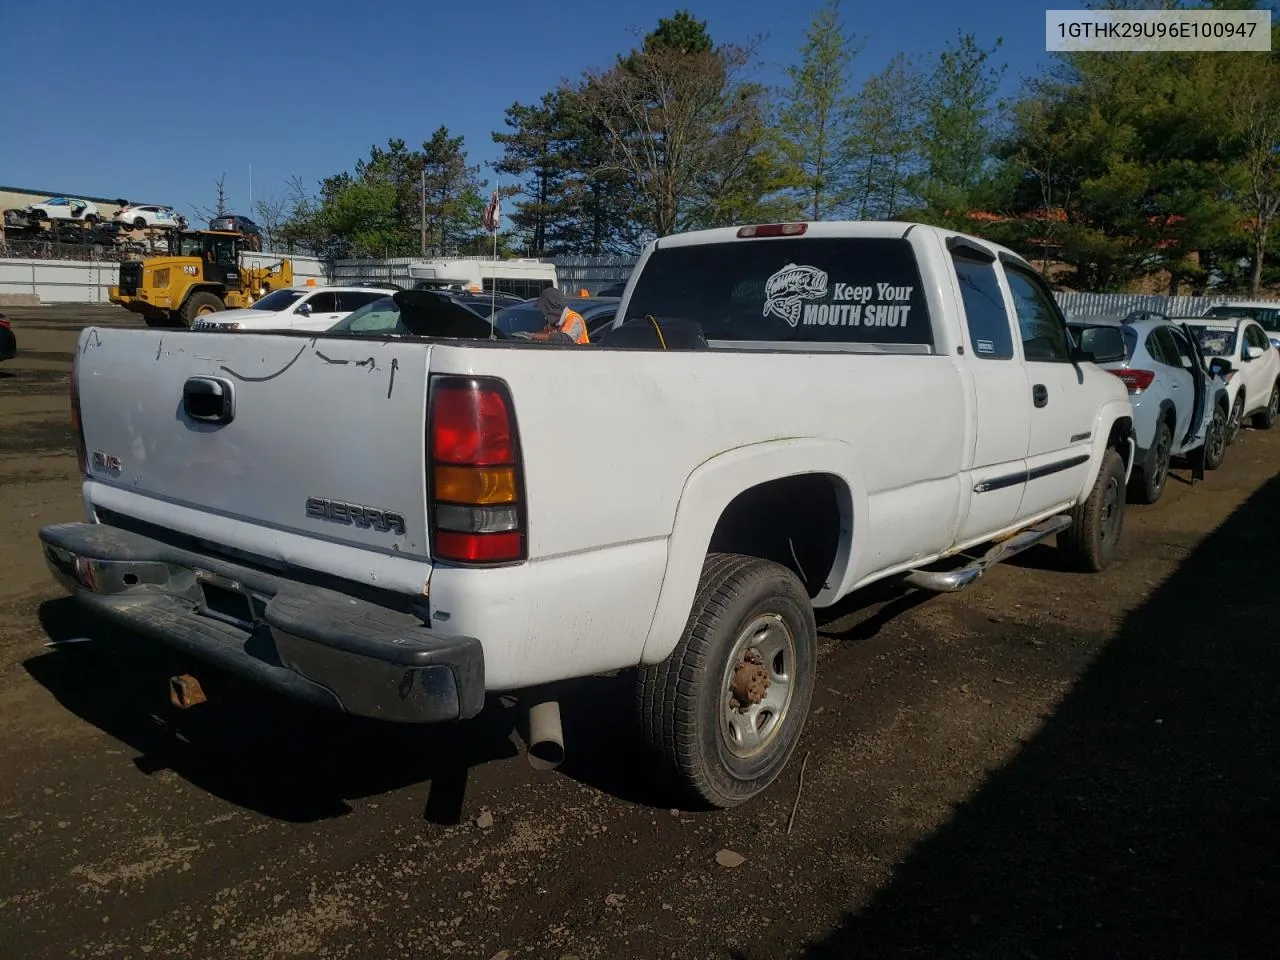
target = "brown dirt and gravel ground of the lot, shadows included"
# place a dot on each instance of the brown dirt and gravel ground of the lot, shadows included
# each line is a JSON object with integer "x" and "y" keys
{"x": 1046, "y": 766}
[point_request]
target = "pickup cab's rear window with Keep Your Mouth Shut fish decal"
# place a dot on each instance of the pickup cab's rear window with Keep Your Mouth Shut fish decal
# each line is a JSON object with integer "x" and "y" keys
{"x": 810, "y": 290}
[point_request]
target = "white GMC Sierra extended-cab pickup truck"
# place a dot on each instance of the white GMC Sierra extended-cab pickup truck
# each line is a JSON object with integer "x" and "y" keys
{"x": 401, "y": 525}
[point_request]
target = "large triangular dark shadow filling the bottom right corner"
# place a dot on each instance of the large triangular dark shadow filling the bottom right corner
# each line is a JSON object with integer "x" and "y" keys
{"x": 1142, "y": 819}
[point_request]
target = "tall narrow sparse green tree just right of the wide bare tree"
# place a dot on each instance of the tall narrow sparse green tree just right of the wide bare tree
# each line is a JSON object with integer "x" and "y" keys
{"x": 817, "y": 115}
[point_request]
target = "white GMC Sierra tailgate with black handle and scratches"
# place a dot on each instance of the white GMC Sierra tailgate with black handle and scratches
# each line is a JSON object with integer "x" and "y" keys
{"x": 326, "y": 437}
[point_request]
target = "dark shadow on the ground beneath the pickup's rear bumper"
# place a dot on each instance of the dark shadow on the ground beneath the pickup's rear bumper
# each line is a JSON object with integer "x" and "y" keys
{"x": 298, "y": 764}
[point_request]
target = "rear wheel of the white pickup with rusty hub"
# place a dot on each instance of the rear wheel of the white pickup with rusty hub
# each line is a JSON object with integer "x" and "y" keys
{"x": 725, "y": 711}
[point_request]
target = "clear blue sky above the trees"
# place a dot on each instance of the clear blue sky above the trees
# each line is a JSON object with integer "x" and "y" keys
{"x": 190, "y": 92}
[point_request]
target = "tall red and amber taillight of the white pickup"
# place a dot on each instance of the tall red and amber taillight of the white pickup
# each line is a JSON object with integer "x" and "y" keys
{"x": 474, "y": 473}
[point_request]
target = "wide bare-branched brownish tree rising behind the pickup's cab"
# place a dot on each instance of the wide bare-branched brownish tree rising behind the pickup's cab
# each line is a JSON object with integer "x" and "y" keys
{"x": 675, "y": 118}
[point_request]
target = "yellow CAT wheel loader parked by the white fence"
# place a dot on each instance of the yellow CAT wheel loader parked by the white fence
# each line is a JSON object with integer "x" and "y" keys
{"x": 202, "y": 276}
